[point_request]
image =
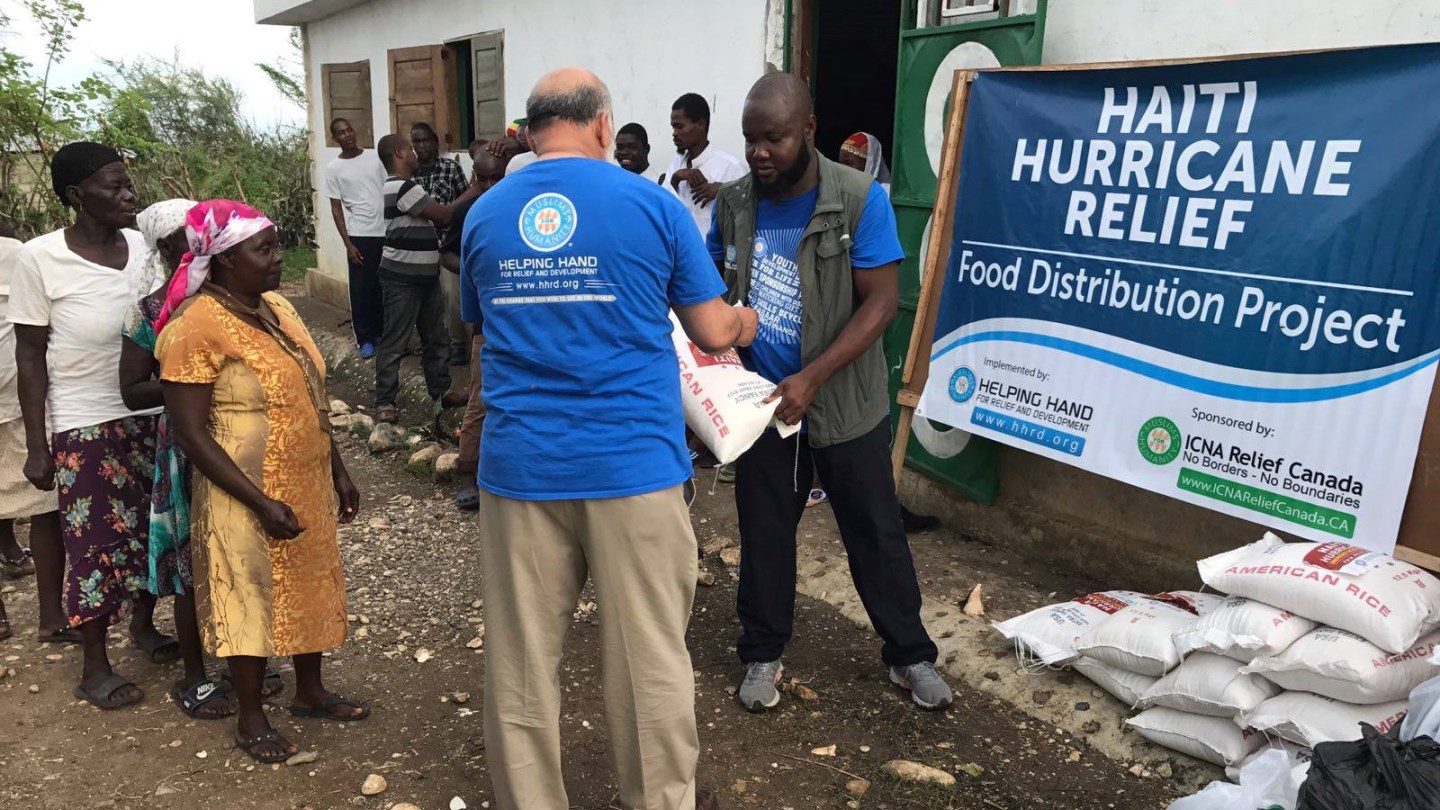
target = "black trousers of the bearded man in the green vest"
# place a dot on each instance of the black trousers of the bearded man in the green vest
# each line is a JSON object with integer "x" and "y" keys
{"x": 771, "y": 488}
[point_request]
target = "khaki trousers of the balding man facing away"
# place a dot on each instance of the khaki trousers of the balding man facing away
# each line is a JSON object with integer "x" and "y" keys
{"x": 642, "y": 556}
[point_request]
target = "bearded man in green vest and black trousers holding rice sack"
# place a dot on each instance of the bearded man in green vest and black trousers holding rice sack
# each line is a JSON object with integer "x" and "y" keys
{"x": 811, "y": 246}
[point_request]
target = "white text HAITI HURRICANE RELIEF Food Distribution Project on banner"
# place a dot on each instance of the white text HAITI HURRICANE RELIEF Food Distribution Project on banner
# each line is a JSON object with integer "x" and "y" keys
{"x": 1170, "y": 192}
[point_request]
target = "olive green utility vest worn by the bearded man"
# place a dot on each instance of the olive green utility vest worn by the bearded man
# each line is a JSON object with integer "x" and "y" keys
{"x": 858, "y": 399}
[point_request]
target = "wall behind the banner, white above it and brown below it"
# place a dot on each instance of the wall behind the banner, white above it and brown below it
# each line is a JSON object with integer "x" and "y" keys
{"x": 1120, "y": 534}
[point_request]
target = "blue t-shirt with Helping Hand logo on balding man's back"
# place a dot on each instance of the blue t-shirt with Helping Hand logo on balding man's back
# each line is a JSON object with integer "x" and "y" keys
{"x": 574, "y": 266}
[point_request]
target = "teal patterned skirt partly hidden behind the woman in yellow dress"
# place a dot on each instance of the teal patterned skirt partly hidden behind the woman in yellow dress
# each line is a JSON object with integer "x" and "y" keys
{"x": 171, "y": 573}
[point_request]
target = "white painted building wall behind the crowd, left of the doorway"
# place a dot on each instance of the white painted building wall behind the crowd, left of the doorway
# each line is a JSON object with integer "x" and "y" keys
{"x": 647, "y": 51}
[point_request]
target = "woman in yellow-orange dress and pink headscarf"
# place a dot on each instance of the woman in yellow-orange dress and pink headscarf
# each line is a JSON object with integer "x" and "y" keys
{"x": 246, "y": 393}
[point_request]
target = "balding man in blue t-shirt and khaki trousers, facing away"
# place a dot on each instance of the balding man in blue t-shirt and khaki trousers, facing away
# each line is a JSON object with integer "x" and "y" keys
{"x": 574, "y": 267}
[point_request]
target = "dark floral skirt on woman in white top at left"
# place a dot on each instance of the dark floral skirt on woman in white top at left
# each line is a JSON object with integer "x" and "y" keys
{"x": 103, "y": 476}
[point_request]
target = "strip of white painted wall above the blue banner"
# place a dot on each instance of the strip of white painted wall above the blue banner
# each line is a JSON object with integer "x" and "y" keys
{"x": 1108, "y": 31}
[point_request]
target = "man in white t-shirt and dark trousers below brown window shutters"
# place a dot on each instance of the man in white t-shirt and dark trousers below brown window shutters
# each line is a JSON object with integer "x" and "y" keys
{"x": 355, "y": 184}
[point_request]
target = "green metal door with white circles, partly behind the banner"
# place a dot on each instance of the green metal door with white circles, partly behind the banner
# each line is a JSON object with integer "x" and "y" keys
{"x": 930, "y": 58}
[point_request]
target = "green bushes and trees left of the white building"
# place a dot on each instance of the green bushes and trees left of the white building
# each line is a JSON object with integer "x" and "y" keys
{"x": 184, "y": 133}
